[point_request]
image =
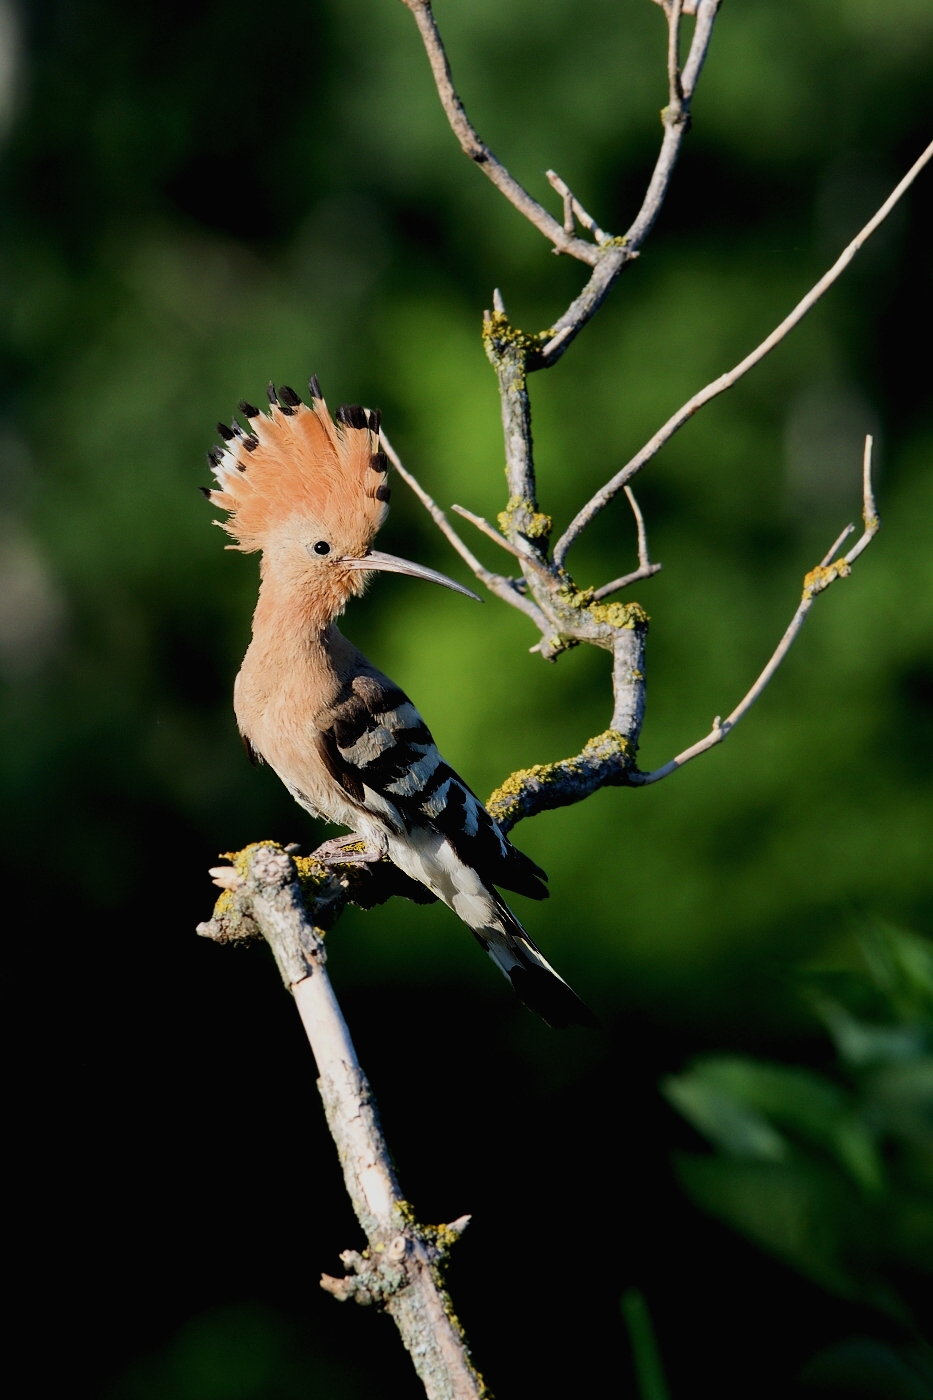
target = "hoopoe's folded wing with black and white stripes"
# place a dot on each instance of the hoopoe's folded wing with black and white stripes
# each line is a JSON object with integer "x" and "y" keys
{"x": 378, "y": 740}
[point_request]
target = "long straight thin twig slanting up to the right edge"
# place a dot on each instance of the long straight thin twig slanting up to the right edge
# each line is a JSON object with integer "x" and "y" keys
{"x": 726, "y": 381}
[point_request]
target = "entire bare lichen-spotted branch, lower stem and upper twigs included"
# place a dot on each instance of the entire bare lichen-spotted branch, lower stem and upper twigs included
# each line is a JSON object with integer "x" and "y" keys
{"x": 289, "y": 904}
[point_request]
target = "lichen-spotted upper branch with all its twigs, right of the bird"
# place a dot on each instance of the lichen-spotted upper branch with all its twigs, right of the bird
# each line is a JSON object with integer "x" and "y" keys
{"x": 565, "y": 614}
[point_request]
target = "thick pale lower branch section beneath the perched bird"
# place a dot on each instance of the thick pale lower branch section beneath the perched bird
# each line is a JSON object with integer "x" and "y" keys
{"x": 401, "y": 1270}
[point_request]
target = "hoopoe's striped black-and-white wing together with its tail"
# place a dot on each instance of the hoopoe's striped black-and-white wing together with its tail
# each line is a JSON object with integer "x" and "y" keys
{"x": 379, "y": 750}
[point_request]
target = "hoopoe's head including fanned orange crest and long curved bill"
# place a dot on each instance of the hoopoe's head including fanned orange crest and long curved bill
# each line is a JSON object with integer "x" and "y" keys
{"x": 309, "y": 491}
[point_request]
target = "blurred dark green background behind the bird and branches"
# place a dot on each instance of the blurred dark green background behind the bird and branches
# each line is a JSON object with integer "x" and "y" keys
{"x": 204, "y": 197}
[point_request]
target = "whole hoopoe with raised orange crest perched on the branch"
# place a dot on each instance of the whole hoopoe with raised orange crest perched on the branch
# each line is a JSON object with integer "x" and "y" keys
{"x": 309, "y": 491}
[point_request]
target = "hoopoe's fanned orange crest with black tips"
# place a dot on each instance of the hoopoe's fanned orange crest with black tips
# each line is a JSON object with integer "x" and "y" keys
{"x": 300, "y": 463}
